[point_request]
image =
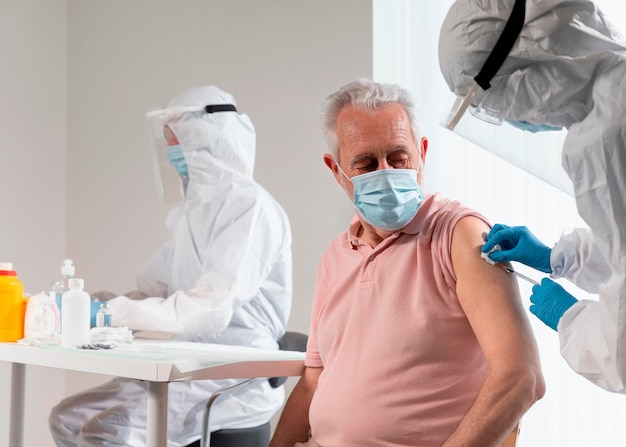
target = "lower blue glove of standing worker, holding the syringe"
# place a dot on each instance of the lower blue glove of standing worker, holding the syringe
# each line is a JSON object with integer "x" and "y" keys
{"x": 550, "y": 301}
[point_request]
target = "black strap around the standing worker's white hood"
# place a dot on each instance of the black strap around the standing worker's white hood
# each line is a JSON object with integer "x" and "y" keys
{"x": 509, "y": 35}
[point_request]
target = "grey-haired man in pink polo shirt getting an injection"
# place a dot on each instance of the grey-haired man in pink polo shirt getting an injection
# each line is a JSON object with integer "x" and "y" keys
{"x": 414, "y": 340}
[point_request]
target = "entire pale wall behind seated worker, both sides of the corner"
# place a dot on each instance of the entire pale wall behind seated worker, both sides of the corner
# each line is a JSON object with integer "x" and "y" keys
{"x": 111, "y": 61}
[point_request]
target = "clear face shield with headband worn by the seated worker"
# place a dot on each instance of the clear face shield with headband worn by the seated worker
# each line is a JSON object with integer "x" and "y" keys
{"x": 168, "y": 179}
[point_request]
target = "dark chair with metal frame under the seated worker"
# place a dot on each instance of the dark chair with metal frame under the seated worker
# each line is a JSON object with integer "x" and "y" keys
{"x": 254, "y": 436}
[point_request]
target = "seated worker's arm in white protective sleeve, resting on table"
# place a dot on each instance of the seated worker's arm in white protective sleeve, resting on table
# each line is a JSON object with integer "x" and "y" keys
{"x": 238, "y": 254}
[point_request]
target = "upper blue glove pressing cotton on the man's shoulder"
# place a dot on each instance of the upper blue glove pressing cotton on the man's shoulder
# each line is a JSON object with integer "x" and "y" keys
{"x": 517, "y": 244}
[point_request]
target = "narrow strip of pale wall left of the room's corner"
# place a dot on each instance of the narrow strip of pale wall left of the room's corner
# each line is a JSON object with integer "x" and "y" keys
{"x": 32, "y": 172}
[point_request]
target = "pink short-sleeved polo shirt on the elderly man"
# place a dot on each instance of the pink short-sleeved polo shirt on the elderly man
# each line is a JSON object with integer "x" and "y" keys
{"x": 401, "y": 363}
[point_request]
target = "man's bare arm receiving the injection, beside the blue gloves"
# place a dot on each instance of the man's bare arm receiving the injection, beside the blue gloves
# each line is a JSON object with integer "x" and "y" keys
{"x": 490, "y": 298}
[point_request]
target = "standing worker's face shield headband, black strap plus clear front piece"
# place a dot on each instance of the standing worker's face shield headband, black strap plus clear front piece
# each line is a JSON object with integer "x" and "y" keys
{"x": 482, "y": 80}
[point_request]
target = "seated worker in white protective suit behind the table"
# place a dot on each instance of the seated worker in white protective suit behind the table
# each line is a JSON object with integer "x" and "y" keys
{"x": 225, "y": 276}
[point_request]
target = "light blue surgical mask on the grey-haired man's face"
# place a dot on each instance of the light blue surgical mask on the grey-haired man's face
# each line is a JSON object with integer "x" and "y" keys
{"x": 387, "y": 199}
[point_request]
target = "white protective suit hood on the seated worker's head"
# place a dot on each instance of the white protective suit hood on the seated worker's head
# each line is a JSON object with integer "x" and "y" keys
{"x": 215, "y": 145}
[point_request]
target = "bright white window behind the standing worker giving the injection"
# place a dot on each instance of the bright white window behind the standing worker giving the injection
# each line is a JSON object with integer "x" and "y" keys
{"x": 508, "y": 185}
